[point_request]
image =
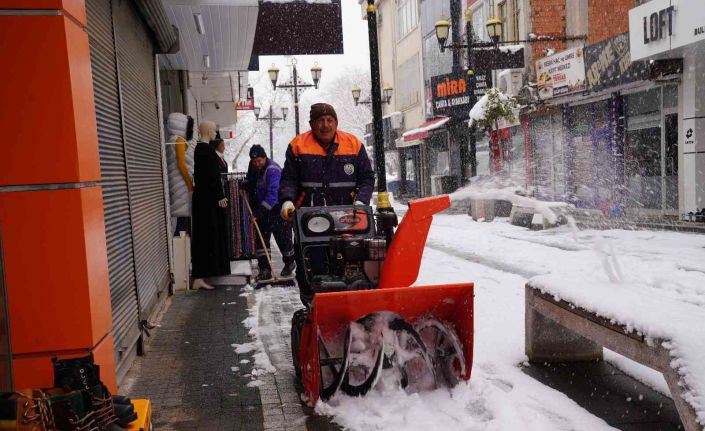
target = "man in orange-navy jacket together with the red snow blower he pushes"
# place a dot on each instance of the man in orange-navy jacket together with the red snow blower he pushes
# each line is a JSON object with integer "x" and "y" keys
{"x": 364, "y": 326}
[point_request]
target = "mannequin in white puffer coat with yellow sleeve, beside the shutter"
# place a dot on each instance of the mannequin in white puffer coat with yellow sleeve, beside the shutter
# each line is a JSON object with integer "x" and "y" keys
{"x": 179, "y": 152}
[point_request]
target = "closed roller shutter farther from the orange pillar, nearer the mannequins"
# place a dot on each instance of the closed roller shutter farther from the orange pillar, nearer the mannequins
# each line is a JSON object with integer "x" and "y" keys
{"x": 143, "y": 144}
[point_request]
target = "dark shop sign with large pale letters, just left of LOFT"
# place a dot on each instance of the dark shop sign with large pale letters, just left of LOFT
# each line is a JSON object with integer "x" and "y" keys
{"x": 608, "y": 64}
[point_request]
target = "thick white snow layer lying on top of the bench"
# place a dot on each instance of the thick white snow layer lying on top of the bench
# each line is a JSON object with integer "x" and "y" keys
{"x": 650, "y": 313}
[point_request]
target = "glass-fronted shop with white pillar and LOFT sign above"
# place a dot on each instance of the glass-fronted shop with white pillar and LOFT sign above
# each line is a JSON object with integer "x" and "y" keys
{"x": 668, "y": 122}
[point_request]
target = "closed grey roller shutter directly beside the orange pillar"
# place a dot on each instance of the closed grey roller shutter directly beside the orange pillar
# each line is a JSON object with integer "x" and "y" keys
{"x": 118, "y": 226}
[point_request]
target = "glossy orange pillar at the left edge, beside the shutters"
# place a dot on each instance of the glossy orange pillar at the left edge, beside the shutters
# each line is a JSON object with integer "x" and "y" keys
{"x": 51, "y": 204}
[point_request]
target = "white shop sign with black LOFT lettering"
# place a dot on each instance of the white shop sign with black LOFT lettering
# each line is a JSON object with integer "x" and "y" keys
{"x": 662, "y": 25}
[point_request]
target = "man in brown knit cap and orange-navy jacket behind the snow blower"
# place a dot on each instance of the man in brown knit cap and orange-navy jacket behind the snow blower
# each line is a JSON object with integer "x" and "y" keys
{"x": 324, "y": 166}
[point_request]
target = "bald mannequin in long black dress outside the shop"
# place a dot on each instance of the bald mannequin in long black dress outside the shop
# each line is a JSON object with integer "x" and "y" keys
{"x": 209, "y": 247}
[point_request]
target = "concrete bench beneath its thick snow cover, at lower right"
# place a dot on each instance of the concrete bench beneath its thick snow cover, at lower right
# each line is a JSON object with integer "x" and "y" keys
{"x": 558, "y": 331}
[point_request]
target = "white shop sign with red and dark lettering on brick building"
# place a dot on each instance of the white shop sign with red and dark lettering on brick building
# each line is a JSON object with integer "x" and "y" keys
{"x": 561, "y": 73}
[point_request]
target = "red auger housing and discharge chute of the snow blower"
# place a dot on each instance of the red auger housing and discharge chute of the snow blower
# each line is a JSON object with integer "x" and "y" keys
{"x": 332, "y": 312}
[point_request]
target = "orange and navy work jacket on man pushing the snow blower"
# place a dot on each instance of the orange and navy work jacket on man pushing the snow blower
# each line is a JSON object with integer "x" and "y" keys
{"x": 313, "y": 176}
